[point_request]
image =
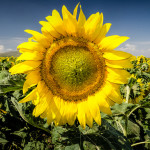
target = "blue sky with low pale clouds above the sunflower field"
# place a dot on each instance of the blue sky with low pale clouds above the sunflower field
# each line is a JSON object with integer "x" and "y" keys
{"x": 128, "y": 17}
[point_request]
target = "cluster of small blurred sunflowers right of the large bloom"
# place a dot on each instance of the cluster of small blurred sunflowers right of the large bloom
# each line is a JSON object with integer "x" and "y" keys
{"x": 138, "y": 85}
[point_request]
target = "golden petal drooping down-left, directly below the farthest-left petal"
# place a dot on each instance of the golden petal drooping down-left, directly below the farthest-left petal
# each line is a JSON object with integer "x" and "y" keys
{"x": 32, "y": 79}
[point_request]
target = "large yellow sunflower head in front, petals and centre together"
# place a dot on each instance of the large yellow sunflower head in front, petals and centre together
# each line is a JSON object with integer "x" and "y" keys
{"x": 75, "y": 68}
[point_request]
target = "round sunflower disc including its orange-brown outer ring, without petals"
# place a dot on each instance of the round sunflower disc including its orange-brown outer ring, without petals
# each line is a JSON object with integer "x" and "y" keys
{"x": 73, "y": 68}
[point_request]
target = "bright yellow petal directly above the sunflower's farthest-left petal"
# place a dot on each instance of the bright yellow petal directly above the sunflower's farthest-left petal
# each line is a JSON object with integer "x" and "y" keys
{"x": 31, "y": 56}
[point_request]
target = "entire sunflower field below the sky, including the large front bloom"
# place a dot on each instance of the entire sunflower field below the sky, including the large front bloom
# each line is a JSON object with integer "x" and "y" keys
{"x": 70, "y": 89}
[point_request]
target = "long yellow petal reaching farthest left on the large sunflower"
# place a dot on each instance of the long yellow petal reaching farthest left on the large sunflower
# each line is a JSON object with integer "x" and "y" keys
{"x": 24, "y": 67}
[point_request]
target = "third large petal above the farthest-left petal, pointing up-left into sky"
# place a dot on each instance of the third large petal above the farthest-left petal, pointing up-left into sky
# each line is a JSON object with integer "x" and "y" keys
{"x": 43, "y": 40}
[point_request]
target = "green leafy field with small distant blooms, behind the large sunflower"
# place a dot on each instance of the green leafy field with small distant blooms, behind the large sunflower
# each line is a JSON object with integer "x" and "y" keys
{"x": 127, "y": 128}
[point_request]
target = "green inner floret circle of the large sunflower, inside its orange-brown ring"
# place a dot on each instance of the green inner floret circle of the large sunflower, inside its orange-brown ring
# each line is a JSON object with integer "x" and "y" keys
{"x": 73, "y": 67}
